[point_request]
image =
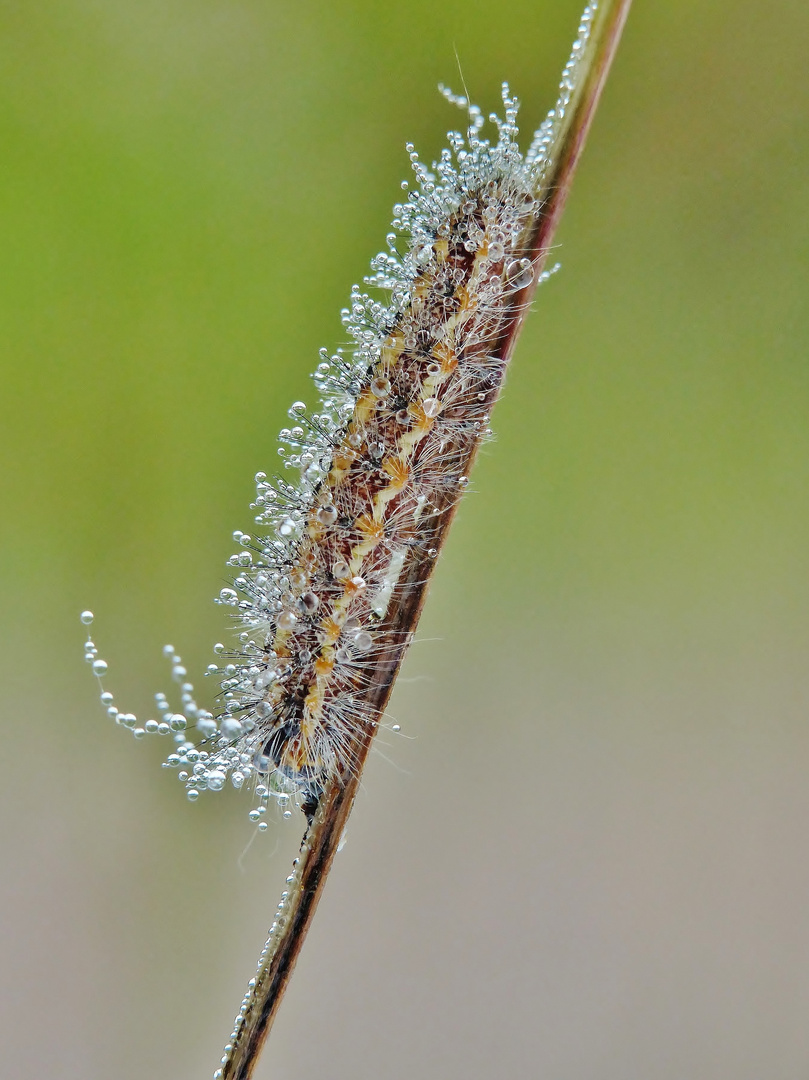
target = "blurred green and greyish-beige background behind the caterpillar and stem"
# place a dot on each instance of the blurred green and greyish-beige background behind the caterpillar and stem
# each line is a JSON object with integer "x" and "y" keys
{"x": 587, "y": 855}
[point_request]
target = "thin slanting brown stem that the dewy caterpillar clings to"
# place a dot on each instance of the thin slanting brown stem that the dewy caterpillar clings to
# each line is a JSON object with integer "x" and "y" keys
{"x": 329, "y": 821}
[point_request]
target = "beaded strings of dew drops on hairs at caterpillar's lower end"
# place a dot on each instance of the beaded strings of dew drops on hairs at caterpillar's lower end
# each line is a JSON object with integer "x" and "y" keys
{"x": 187, "y": 757}
